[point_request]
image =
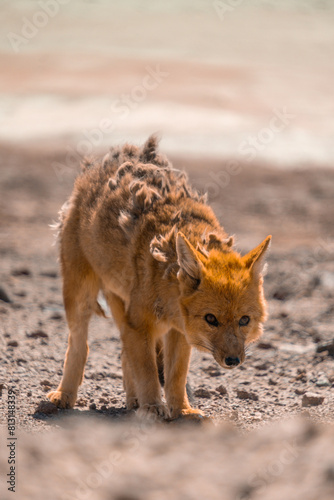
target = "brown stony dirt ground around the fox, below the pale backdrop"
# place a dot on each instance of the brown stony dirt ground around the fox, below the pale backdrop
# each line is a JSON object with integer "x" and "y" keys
{"x": 247, "y": 454}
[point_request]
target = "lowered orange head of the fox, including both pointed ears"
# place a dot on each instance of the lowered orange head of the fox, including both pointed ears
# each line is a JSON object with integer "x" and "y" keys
{"x": 221, "y": 299}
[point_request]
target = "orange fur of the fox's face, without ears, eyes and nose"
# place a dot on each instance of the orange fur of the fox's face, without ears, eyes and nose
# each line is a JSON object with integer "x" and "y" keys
{"x": 228, "y": 290}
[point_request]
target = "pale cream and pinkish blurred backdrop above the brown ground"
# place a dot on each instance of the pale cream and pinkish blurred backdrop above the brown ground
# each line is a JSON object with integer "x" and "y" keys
{"x": 207, "y": 75}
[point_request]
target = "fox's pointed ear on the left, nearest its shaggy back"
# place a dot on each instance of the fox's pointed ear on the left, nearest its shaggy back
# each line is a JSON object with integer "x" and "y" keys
{"x": 190, "y": 265}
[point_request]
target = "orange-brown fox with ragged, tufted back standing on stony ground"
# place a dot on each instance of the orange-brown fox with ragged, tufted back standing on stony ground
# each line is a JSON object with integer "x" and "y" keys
{"x": 135, "y": 230}
